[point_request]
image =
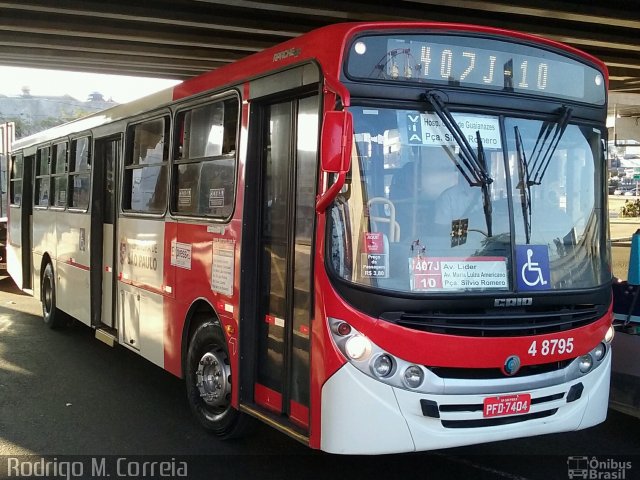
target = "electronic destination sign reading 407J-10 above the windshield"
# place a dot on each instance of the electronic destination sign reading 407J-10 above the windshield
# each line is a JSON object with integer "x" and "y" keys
{"x": 474, "y": 62}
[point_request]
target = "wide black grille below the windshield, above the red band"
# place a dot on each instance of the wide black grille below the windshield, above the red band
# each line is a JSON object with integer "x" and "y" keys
{"x": 499, "y": 322}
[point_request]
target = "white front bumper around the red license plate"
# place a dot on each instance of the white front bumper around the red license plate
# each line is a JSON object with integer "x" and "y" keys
{"x": 361, "y": 415}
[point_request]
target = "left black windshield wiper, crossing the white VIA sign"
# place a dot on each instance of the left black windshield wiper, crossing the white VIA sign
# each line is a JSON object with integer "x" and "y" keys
{"x": 476, "y": 173}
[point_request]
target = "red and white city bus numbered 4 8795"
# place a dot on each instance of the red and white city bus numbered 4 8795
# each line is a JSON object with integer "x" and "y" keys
{"x": 376, "y": 237}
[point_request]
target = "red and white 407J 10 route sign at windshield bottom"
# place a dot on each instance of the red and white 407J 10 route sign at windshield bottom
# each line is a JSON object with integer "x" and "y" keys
{"x": 429, "y": 274}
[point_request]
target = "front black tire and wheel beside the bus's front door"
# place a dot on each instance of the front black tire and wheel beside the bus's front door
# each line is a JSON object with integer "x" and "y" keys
{"x": 208, "y": 382}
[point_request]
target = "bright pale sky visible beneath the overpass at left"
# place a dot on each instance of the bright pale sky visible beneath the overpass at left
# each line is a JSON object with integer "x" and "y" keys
{"x": 119, "y": 88}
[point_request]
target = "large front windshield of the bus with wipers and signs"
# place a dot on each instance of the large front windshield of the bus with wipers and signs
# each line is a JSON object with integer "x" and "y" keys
{"x": 414, "y": 218}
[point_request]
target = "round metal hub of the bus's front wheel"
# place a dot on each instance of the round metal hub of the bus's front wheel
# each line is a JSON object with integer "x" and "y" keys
{"x": 212, "y": 379}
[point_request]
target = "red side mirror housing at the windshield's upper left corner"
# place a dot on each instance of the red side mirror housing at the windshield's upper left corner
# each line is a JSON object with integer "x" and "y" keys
{"x": 337, "y": 140}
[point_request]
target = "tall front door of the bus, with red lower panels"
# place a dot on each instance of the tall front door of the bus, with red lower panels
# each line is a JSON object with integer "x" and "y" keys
{"x": 285, "y": 251}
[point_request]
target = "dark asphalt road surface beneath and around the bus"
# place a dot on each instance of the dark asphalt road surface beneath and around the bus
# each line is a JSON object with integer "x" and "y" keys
{"x": 65, "y": 393}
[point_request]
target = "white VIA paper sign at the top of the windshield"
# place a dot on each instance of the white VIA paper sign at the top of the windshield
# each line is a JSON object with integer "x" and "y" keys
{"x": 428, "y": 130}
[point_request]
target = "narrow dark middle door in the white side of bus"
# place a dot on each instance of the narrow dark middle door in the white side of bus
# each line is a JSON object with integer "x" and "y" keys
{"x": 103, "y": 212}
